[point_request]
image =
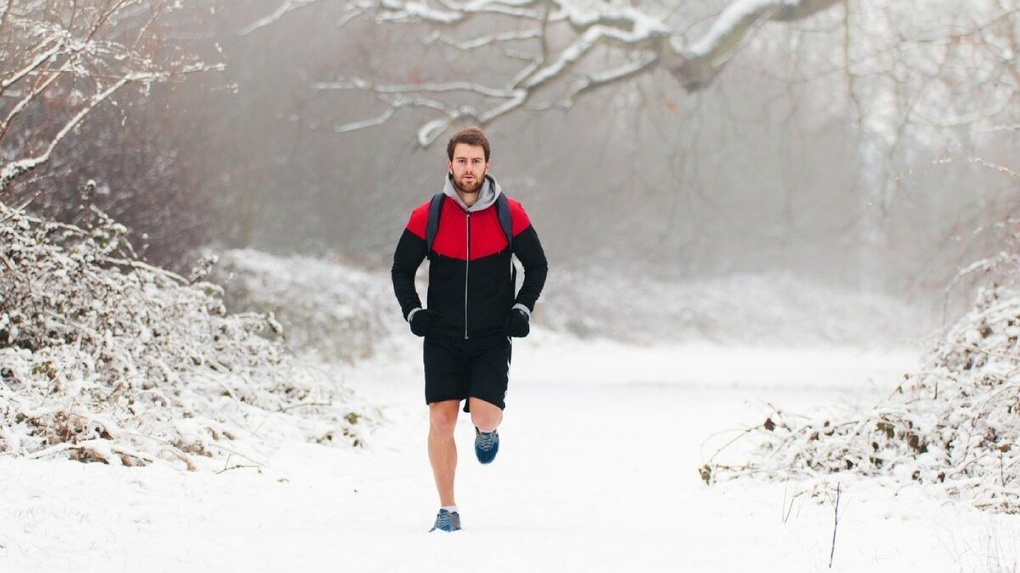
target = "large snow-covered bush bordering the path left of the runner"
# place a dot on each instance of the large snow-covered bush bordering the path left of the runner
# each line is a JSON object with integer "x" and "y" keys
{"x": 106, "y": 358}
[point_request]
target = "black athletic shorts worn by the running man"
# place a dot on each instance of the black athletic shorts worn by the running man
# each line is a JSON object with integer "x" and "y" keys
{"x": 458, "y": 370}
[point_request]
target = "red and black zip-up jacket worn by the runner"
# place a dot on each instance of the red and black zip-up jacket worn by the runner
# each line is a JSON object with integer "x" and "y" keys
{"x": 471, "y": 279}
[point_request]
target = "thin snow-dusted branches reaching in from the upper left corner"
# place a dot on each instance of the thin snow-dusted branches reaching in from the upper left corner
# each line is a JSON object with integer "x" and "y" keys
{"x": 60, "y": 62}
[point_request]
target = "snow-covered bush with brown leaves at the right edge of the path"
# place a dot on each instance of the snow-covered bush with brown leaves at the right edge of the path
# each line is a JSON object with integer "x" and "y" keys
{"x": 953, "y": 426}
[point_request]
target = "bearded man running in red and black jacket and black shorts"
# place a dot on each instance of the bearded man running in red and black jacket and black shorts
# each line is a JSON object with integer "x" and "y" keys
{"x": 473, "y": 309}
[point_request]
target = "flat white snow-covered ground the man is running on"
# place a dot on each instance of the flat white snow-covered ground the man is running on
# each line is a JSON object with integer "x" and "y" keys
{"x": 598, "y": 472}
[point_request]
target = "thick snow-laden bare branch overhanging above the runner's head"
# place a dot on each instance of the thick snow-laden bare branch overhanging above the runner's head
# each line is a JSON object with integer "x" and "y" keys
{"x": 562, "y": 51}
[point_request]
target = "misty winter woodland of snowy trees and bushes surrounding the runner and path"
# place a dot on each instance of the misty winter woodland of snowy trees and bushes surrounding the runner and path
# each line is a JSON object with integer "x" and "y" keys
{"x": 200, "y": 199}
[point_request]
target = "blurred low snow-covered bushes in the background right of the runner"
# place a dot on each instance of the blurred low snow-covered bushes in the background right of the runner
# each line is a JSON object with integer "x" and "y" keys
{"x": 774, "y": 309}
